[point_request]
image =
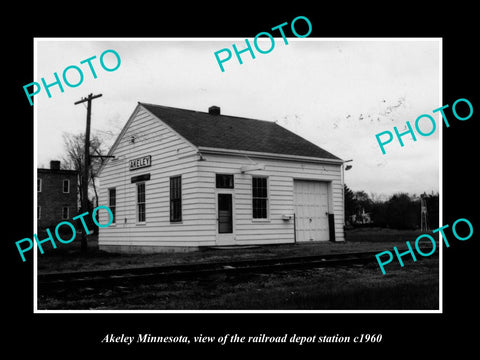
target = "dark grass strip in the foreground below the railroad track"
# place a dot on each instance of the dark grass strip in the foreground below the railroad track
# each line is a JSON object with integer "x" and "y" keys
{"x": 414, "y": 287}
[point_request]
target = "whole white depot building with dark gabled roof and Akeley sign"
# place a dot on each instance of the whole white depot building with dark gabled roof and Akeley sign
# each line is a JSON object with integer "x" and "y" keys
{"x": 181, "y": 179}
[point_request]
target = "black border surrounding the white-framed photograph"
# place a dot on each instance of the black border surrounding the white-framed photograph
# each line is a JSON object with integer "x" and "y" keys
{"x": 66, "y": 335}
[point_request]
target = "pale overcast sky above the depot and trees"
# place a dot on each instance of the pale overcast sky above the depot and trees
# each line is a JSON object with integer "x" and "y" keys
{"x": 337, "y": 94}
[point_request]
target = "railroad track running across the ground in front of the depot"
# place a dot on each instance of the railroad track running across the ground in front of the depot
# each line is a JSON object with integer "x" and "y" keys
{"x": 165, "y": 273}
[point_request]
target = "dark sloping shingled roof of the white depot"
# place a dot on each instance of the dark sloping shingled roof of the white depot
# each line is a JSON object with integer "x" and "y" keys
{"x": 235, "y": 133}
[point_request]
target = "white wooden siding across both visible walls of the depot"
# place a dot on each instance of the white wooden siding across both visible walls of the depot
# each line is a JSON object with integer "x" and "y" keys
{"x": 171, "y": 156}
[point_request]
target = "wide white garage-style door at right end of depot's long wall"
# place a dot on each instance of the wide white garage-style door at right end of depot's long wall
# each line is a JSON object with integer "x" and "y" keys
{"x": 311, "y": 210}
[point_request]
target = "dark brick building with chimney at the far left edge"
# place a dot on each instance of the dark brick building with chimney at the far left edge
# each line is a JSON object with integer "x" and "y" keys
{"x": 57, "y": 195}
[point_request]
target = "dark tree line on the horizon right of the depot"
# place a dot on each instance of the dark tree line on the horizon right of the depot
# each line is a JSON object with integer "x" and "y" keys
{"x": 399, "y": 211}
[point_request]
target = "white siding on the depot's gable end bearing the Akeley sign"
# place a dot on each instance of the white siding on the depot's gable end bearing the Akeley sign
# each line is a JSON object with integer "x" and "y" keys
{"x": 171, "y": 156}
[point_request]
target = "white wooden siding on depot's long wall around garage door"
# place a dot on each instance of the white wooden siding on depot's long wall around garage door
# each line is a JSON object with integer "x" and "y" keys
{"x": 281, "y": 175}
